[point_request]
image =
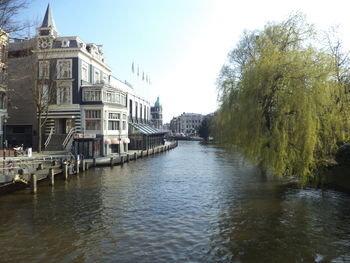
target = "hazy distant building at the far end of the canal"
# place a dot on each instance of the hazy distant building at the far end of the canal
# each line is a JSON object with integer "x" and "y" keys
{"x": 186, "y": 123}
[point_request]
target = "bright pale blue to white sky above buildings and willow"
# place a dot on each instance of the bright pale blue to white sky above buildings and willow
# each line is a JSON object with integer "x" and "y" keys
{"x": 180, "y": 44}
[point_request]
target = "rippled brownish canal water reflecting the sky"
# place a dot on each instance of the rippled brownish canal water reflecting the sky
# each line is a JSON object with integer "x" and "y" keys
{"x": 195, "y": 203}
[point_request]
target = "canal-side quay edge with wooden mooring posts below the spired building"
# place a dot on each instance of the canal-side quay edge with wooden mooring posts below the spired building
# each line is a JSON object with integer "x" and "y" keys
{"x": 29, "y": 172}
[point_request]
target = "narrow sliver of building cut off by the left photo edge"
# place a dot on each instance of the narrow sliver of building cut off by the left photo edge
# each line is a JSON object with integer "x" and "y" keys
{"x": 3, "y": 85}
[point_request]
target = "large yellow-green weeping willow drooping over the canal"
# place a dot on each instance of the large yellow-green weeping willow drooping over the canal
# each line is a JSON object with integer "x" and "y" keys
{"x": 281, "y": 102}
